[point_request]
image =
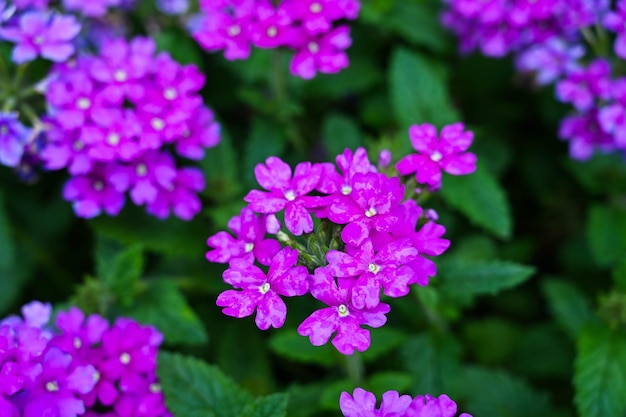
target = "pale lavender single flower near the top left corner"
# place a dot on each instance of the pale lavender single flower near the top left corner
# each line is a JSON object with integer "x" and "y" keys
{"x": 42, "y": 34}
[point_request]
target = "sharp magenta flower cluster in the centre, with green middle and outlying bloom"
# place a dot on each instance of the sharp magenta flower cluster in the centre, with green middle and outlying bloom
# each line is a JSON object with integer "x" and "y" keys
{"x": 367, "y": 237}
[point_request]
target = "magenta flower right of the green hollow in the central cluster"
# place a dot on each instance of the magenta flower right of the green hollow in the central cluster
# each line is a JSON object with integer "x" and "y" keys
{"x": 370, "y": 205}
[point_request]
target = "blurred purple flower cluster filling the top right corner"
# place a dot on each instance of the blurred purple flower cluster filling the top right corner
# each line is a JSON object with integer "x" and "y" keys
{"x": 565, "y": 42}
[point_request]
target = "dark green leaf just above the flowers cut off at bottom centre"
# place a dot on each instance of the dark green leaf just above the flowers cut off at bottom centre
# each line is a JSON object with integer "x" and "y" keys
{"x": 432, "y": 361}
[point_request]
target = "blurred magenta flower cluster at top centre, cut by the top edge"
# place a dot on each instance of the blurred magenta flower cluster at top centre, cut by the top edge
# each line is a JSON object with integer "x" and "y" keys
{"x": 303, "y": 25}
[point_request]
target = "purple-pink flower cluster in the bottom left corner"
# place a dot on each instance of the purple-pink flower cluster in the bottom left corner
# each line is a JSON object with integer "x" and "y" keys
{"x": 84, "y": 366}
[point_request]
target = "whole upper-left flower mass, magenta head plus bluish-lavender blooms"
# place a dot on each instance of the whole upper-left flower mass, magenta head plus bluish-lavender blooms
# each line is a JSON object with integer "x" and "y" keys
{"x": 113, "y": 118}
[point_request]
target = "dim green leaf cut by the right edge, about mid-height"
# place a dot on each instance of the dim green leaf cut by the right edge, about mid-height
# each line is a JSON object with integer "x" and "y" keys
{"x": 606, "y": 231}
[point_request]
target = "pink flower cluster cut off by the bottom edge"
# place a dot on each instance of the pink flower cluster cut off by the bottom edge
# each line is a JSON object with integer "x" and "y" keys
{"x": 363, "y": 404}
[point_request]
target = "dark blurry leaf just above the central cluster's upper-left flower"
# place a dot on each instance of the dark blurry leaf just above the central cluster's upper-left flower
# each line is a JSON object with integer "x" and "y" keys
{"x": 266, "y": 139}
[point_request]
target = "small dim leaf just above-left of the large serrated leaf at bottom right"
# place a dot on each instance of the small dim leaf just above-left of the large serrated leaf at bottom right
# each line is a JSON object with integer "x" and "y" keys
{"x": 569, "y": 306}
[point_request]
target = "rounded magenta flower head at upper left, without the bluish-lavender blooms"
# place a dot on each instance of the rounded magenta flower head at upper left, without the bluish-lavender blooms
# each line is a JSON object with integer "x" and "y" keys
{"x": 111, "y": 121}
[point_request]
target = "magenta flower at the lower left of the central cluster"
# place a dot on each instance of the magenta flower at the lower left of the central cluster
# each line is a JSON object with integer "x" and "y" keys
{"x": 261, "y": 292}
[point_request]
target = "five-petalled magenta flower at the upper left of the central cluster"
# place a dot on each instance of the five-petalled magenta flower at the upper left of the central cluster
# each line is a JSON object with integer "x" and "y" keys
{"x": 285, "y": 192}
